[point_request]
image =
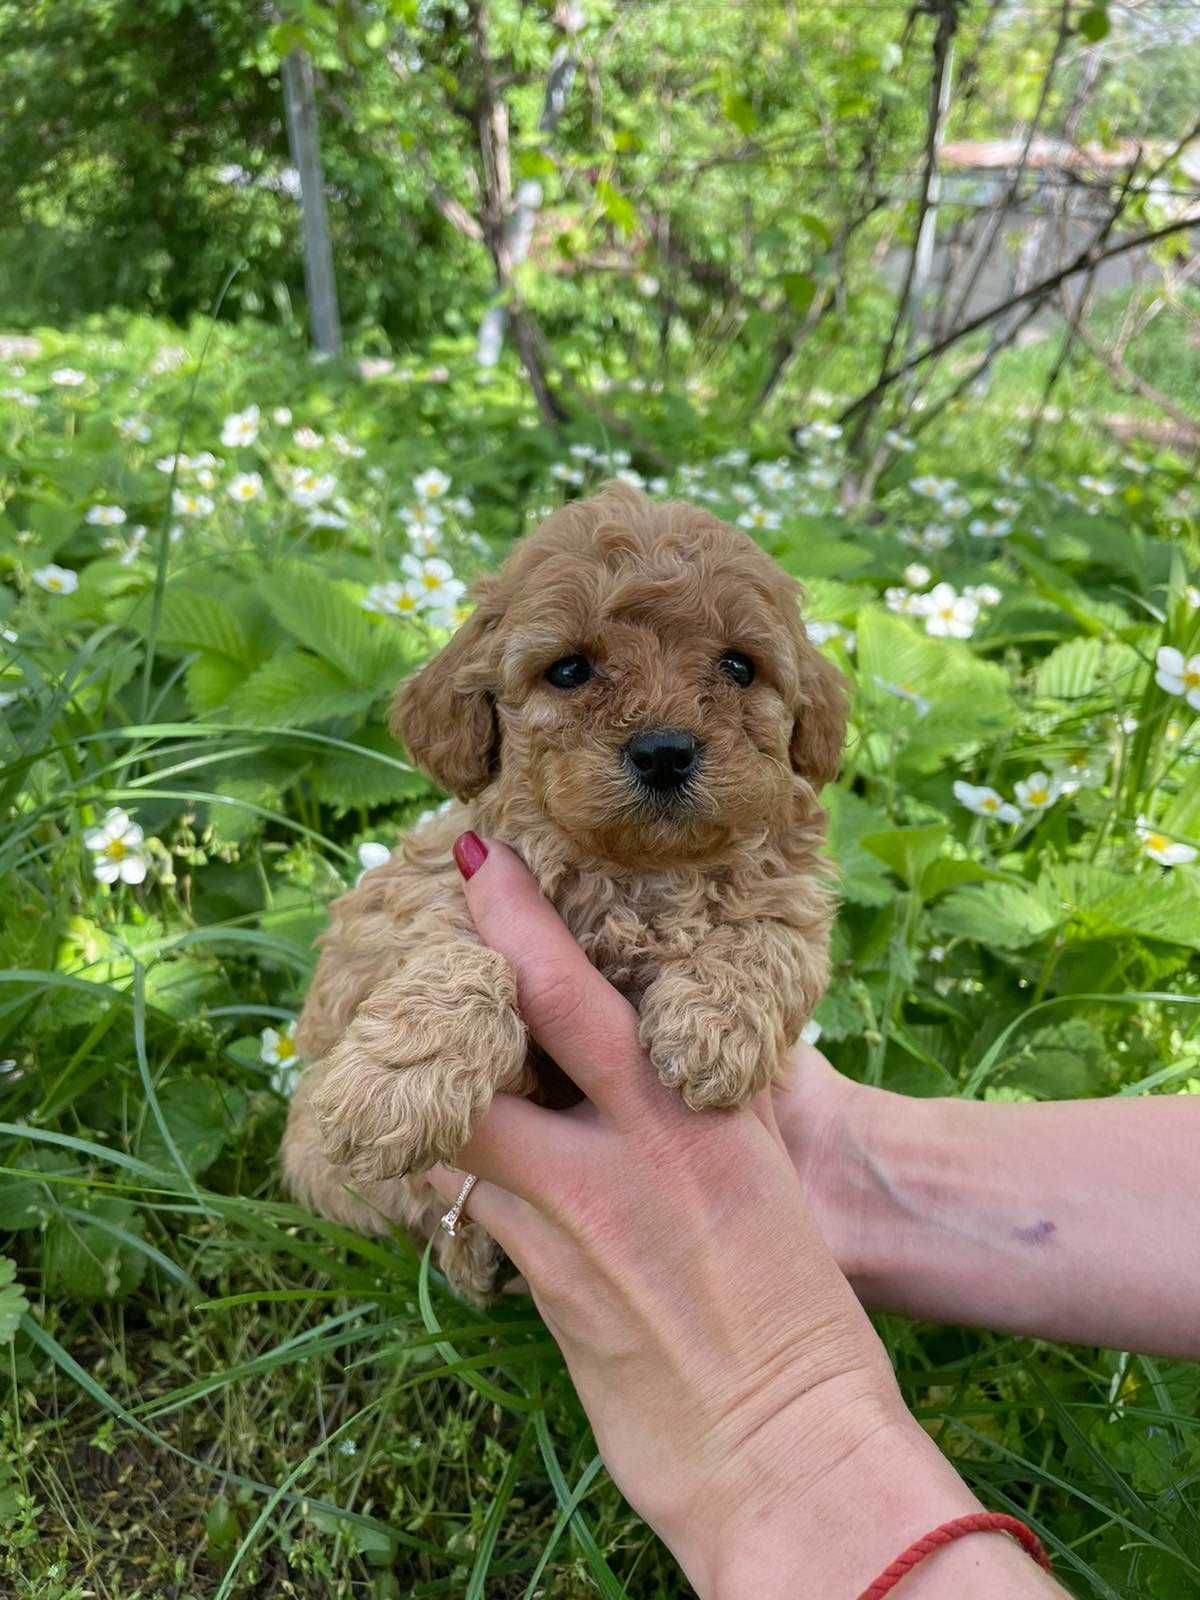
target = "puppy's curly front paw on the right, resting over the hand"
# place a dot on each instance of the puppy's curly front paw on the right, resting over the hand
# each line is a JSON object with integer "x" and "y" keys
{"x": 710, "y": 1042}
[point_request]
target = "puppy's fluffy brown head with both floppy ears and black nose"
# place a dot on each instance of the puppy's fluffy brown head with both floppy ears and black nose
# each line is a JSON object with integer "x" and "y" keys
{"x": 639, "y": 679}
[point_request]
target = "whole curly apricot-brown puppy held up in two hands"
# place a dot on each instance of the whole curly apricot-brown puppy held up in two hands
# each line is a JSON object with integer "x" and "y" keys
{"x": 636, "y": 710}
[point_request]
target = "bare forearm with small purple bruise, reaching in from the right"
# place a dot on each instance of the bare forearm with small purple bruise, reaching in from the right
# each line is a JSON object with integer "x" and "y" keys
{"x": 1074, "y": 1222}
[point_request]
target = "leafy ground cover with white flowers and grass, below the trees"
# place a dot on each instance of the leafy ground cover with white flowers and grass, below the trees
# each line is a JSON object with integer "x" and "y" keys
{"x": 218, "y": 558}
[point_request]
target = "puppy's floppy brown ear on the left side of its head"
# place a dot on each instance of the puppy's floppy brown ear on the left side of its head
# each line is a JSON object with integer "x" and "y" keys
{"x": 446, "y": 714}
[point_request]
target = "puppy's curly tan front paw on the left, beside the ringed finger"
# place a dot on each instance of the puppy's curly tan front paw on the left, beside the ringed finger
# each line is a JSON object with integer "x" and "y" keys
{"x": 417, "y": 1070}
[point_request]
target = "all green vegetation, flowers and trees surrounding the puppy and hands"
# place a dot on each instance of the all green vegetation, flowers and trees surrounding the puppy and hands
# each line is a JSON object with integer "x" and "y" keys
{"x": 305, "y": 305}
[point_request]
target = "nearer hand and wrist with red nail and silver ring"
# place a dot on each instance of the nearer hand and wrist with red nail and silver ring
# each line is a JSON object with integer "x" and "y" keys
{"x": 738, "y": 1394}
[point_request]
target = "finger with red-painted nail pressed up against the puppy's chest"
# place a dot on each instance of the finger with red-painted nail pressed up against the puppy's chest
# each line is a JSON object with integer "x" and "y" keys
{"x": 574, "y": 1014}
